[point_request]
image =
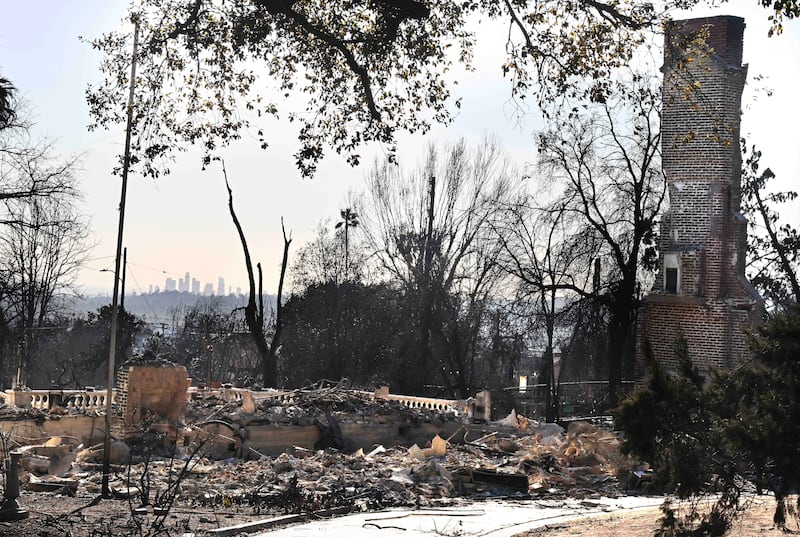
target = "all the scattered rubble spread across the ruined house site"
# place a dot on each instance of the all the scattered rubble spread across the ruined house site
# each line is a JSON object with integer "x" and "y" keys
{"x": 514, "y": 457}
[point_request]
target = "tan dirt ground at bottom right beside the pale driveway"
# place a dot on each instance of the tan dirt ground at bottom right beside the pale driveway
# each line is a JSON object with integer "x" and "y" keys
{"x": 756, "y": 520}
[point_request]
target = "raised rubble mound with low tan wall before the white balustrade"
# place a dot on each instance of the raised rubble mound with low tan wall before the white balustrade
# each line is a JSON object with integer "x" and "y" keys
{"x": 254, "y": 425}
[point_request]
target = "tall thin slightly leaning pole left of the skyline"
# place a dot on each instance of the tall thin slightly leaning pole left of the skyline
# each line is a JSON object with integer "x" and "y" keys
{"x": 106, "y": 489}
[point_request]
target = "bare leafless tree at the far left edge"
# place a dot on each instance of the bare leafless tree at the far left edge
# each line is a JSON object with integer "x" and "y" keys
{"x": 42, "y": 235}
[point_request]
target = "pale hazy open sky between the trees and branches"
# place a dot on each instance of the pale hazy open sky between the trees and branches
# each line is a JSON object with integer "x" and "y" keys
{"x": 181, "y": 223}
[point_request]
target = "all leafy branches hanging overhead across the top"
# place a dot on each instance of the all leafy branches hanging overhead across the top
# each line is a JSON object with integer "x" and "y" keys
{"x": 211, "y": 70}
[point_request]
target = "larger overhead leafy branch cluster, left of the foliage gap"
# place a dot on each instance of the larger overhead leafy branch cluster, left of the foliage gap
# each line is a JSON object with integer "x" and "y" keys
{"x": 366, "y": 69}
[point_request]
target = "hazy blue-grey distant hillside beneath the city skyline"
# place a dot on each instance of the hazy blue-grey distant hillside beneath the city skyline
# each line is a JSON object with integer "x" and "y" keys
{"x": 160, "y": 307}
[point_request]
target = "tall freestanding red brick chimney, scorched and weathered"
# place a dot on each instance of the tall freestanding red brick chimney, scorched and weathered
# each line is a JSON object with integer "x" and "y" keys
{"x": 701, "y": 292}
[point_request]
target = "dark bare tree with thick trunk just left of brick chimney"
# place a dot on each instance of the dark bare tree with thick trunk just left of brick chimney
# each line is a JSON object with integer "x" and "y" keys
{"x": 604, "y": 159}
